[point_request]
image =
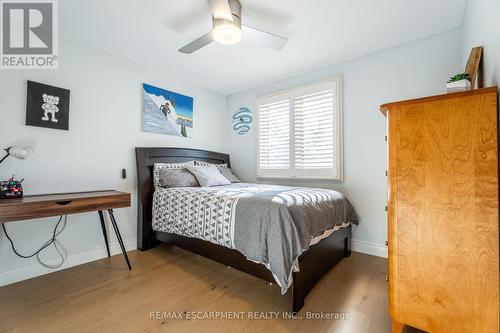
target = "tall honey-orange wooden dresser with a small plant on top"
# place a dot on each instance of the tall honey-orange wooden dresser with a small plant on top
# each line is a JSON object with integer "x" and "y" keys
{"x": 443, "y": 212}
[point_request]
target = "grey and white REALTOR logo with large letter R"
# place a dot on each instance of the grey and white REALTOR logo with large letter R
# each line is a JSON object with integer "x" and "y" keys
{"x": 29, "y": 34}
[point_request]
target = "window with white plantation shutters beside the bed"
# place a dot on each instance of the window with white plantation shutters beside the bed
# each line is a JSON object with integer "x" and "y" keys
{"x": 299, "y": 133}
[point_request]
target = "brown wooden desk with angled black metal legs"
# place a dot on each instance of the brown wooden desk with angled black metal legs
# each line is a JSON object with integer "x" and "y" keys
{"x": 39, "y": 206}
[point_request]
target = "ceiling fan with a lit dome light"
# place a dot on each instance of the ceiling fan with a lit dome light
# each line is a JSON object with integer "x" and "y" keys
{"x": 227, "y": 29}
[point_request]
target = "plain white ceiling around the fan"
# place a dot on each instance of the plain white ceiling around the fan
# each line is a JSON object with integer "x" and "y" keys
{"x": 320, "y": 33}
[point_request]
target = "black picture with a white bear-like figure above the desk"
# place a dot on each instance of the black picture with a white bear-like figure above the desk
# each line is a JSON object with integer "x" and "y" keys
{"x": 47, "y": 106}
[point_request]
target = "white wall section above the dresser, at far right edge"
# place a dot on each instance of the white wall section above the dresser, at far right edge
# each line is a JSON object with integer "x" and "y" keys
{"x": 482, "y": 28}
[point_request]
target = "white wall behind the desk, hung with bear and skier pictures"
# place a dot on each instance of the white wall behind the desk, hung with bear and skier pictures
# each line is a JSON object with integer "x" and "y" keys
{"x": 105, "y": 126}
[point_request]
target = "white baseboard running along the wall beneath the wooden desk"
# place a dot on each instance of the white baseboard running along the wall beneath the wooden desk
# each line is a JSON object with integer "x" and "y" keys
{"x": 16, "y": 274}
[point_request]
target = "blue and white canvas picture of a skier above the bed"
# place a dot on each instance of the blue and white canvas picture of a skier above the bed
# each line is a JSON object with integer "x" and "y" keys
{"x": 166, "y": 112}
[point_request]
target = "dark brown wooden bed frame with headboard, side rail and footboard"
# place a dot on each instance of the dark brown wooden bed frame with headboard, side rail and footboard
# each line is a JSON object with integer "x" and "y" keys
{"x": 314, "y": 263}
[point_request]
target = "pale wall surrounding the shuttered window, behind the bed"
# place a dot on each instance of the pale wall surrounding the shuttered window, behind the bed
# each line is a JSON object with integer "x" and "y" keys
{"x": 416, "y": 69}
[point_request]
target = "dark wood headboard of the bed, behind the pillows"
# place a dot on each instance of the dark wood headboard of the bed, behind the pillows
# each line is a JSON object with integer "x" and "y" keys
{"x": 145, "y": 159}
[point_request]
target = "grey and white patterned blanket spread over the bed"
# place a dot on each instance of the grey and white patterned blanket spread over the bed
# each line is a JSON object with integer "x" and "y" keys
{"x": 269, "y": 224}
